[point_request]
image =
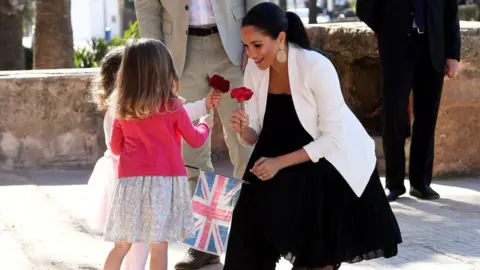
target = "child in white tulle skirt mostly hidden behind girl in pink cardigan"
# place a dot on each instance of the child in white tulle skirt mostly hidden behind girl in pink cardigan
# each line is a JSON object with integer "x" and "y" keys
{"x": 103, "y": 178}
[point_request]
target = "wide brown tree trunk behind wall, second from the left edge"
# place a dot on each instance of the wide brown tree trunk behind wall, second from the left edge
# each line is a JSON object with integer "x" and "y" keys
{"x": 53, "y": 35}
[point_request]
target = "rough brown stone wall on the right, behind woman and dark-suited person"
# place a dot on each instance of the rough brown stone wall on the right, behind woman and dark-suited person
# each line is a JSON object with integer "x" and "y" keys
{"x": 353, "y": 49}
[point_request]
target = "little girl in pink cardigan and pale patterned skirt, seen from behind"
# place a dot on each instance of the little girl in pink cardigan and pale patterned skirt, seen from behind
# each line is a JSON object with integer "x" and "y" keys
{"x": 151, "y": 203}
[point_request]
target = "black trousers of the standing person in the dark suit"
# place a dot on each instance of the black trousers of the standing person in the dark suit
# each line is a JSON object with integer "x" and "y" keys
{"x": 410, "y": 70}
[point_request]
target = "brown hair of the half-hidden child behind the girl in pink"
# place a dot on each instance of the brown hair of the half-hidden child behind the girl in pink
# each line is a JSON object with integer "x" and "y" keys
{"x": 105, "y": 83}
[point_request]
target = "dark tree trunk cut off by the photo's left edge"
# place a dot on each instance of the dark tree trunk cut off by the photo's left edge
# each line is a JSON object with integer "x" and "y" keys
{"x": 12, "y": 56}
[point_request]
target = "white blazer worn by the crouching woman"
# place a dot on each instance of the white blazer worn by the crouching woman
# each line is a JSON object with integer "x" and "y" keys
{"x": 338, "y": 135}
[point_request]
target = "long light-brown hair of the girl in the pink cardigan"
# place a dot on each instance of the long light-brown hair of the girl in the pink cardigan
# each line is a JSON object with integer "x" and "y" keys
{"x": 147, "y": 79}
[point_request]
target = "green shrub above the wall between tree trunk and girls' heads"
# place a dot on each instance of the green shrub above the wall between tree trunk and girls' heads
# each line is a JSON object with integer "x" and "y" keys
{"x": 97, "y": 48}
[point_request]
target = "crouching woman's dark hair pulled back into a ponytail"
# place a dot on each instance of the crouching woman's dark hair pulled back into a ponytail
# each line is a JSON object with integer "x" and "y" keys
{"x": 271, "y": 19}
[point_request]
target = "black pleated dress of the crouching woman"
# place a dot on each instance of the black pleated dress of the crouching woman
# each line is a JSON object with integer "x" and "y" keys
{"x": 307, "y": 213}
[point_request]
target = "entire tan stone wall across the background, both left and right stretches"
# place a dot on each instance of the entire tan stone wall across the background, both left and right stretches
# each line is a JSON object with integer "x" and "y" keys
{"x": 47, "y": 120}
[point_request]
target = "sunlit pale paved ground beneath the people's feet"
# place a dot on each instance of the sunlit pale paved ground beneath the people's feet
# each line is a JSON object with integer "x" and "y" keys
{"x": 42, "y": 226}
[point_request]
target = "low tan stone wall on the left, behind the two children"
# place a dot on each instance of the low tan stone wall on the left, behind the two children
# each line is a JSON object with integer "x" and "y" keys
{"x": 48, "y": 120}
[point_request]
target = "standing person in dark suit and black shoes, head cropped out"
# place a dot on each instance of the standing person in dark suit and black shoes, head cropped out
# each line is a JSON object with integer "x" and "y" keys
{"x": 419, "y": 43}
